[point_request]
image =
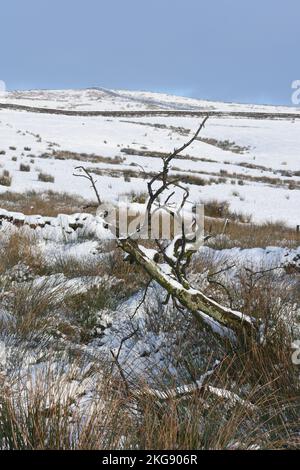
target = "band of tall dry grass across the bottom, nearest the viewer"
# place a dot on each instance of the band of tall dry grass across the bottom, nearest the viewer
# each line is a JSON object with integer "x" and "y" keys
{"x": 40, "y": 413}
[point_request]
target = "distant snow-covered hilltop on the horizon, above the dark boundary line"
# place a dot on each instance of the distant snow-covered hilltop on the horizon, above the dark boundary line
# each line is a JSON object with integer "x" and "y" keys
{"x": 102, "y": 99}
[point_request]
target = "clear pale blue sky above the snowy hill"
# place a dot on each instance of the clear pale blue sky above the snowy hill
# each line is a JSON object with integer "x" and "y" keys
{"x": 231, "y": 50}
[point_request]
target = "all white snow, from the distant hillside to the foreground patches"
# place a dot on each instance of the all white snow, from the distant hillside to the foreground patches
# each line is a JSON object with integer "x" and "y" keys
{"x": 271, "y": 146}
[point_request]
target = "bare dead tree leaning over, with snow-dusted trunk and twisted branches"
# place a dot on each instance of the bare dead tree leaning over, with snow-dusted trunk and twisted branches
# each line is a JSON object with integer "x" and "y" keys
{"x": 167, "y": 263}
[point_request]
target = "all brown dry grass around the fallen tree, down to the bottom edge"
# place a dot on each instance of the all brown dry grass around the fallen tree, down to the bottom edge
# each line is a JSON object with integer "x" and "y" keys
{"x": 76, "y": 408}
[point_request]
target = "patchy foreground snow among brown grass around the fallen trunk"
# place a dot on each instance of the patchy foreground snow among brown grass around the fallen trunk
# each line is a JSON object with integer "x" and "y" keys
{"x": 144, "y": 357}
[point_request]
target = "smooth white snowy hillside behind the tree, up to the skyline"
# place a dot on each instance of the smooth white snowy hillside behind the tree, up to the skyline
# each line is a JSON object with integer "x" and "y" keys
{"x": 251, "y": 163}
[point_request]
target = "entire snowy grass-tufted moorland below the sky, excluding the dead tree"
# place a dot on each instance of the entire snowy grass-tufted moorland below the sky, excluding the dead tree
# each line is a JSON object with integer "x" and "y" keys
{"x": 84, "y": 334}
